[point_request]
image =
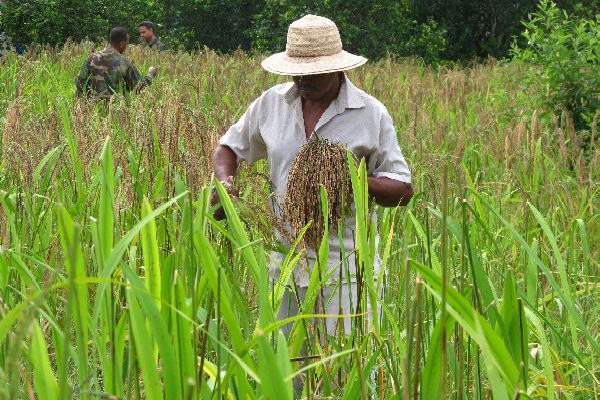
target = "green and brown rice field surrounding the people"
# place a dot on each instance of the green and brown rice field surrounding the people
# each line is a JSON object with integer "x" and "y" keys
{"x": 116, "y": 281}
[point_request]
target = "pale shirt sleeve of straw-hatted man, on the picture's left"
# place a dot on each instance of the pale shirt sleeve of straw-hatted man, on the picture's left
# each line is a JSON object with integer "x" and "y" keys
{"x": 244, "y": 137}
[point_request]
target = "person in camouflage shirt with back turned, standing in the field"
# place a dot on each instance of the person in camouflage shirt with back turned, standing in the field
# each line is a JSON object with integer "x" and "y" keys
{"x": 107, "y": 72}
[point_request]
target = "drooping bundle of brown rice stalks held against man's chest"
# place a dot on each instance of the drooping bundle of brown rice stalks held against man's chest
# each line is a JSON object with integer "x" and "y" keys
{"x": 319, "y": 162}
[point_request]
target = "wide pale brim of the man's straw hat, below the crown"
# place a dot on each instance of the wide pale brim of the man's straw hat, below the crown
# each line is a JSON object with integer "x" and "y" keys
{"x": 282, "y": 64}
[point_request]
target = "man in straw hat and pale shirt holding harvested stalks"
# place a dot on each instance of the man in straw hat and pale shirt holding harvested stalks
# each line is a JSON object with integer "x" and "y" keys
{"x": 321, "y": 101}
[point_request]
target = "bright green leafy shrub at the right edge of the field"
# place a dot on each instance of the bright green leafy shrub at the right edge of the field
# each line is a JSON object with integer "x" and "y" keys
{"x": 562, "y": 61}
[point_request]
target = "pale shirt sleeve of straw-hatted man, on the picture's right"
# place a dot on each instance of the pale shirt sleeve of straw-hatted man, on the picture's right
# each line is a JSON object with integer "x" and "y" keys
{"x": 388, "y": 160}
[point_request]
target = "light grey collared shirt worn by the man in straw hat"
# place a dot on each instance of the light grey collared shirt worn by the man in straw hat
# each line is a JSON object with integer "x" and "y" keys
{"x": 273, "y": 128}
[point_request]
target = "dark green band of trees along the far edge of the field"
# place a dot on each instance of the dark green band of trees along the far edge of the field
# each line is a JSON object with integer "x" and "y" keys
{"x": 434, "y": 30}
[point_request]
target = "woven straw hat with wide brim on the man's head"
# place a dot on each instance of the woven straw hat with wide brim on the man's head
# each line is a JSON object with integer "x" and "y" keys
{"x": 313, "y": 47}
